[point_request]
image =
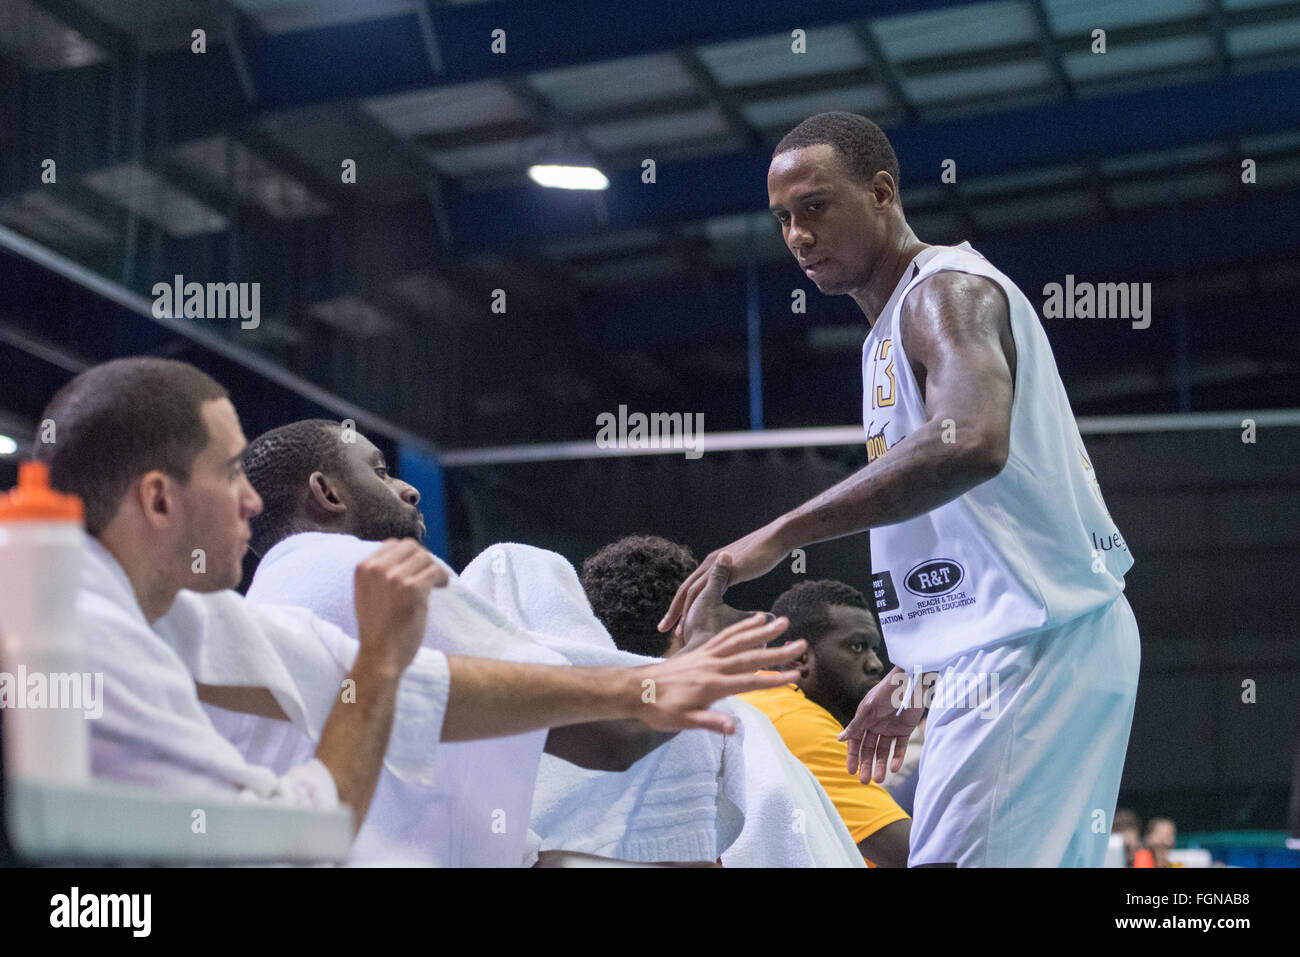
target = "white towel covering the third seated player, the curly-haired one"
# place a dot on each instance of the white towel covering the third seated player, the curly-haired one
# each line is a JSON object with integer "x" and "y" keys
{"x": 699, "y": 796}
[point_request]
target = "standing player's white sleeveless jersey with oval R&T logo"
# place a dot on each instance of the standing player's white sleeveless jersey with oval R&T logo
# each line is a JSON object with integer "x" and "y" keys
{"x": 1026, "y": 552}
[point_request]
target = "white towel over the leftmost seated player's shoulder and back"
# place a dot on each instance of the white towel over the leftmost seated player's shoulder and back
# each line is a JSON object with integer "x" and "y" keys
{"x": 154, "y": 730}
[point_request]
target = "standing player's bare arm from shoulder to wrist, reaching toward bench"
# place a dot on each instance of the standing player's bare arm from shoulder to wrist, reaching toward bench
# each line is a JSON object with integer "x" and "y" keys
{"x": 956, "y": 334}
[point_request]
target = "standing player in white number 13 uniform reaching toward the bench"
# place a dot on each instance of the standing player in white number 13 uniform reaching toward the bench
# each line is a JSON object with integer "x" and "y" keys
{"x": 998, "y": 571}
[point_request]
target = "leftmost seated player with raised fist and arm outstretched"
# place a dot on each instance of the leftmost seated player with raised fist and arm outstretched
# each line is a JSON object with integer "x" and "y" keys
{"x": 154, "y": 449}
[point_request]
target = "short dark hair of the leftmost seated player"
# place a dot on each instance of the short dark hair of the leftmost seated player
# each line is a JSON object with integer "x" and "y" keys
{"x": 119, "y": 421}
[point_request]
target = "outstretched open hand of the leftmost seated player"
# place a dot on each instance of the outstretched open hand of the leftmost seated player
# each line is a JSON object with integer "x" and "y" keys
{"x": 677, "y": 695}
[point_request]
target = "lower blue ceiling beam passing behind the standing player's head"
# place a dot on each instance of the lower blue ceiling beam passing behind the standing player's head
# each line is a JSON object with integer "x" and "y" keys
{"x": 1026, "y": 138}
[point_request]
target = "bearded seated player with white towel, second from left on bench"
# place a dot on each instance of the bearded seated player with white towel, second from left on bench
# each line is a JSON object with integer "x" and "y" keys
{"x": 328, "y": 499}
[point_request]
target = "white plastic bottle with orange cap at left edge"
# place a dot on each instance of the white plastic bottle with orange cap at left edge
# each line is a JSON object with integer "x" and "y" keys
{"x": 44, "y": 690}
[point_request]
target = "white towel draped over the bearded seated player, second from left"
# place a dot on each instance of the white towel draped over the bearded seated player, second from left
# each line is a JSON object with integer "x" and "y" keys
{"x": 470, "y": 806}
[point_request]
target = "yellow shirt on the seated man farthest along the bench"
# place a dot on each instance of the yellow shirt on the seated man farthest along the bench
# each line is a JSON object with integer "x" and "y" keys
{"x": 811, "y": 733}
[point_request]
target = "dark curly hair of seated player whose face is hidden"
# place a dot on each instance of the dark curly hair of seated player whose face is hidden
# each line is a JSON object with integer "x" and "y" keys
{"x": 631, "y": 584}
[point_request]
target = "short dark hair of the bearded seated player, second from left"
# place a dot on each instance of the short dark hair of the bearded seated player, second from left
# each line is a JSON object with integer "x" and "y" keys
{"x": 279, "y": 465}
